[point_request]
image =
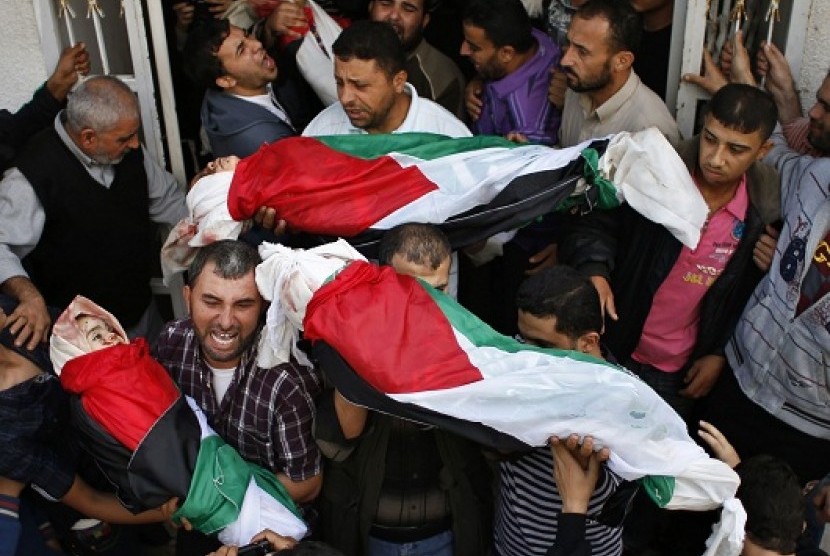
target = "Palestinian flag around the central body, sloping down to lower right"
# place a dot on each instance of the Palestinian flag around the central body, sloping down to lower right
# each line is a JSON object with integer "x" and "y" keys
{"x": 413, "y": 352}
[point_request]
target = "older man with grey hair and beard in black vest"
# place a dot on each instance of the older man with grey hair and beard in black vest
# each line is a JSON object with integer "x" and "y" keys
{"x": 76, "y": 213}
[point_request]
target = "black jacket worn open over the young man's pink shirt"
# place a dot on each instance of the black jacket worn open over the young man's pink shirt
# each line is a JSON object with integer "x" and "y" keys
{"x": 636, "y": 255}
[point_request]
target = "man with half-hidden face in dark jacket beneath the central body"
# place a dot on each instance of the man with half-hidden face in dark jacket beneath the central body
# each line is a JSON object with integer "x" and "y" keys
{"x": 394, "y": 485}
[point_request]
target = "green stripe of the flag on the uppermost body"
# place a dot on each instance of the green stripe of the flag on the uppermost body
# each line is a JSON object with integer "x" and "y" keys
{"x": 425, "y": 146}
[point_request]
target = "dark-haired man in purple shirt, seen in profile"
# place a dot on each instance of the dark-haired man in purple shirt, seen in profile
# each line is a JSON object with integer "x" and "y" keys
{"x": 513, "y": 60}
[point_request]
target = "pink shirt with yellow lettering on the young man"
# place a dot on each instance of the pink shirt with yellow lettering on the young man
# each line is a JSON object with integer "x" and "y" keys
{"x": 670, "y": 330}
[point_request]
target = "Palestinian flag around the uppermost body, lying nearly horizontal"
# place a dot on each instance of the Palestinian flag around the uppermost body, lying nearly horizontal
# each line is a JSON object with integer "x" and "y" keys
{"x": 473, "y": 187}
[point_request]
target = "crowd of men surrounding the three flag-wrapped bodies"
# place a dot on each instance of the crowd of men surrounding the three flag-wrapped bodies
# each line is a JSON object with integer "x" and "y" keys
{"x": 734, "y": 334}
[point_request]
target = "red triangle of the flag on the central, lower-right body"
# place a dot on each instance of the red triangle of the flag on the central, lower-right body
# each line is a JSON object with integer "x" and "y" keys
{"x": 388, "y": 328}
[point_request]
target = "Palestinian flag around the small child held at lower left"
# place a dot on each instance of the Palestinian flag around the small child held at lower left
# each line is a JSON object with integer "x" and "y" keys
{"x": 154, "y": 444}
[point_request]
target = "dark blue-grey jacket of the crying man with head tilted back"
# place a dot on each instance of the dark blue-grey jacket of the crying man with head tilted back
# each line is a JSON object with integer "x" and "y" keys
{"x": 238, "y": 127}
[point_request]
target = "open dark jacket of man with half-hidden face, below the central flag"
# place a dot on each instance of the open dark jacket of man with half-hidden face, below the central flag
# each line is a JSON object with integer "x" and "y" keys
{"x": 354, "y": 475}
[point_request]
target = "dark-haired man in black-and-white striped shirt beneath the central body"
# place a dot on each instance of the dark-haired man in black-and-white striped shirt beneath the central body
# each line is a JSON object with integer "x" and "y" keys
{"x": 557, "y": 308}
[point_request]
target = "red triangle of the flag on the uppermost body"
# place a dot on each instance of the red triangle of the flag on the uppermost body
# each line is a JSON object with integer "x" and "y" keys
{"x": 319, "y": 190}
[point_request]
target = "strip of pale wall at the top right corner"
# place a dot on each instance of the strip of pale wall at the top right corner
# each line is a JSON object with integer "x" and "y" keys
{"x": 816, "y": 59}
